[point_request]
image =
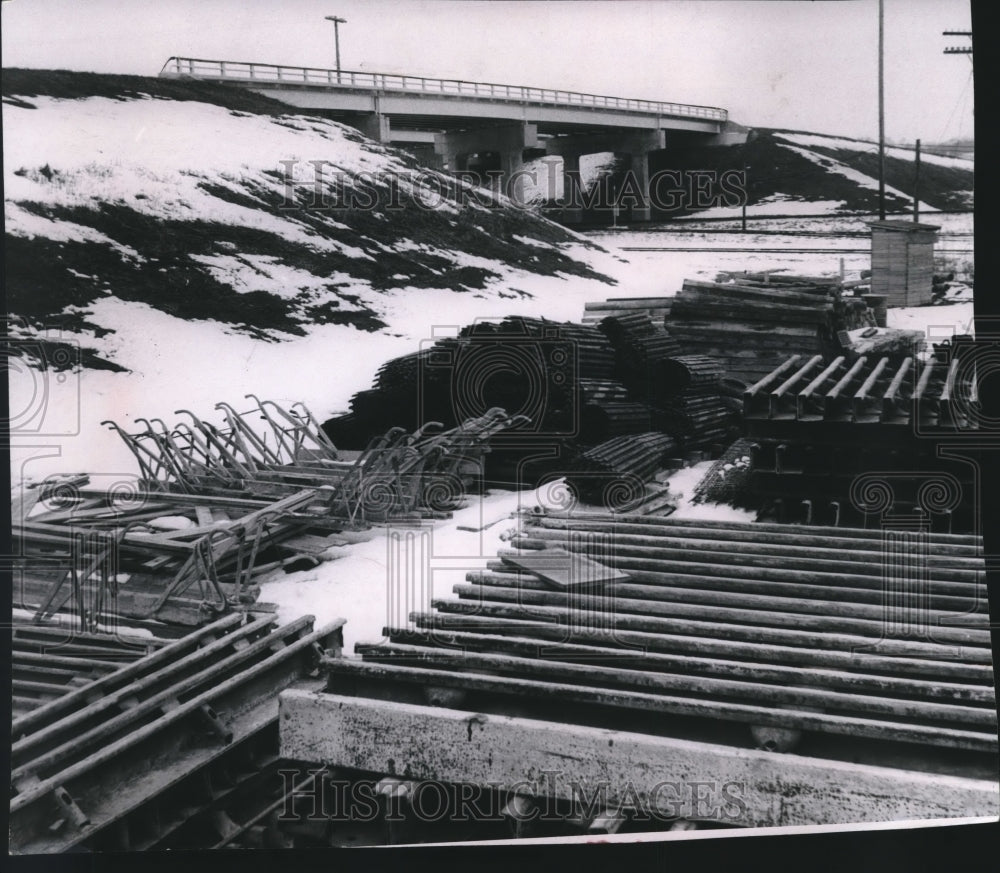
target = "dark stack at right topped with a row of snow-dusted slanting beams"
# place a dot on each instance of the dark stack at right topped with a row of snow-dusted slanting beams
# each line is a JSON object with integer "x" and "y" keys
{"x": 826, "y": 433}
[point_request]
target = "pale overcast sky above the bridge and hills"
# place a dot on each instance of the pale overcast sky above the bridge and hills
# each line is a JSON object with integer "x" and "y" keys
{"x": 802, "y": 64}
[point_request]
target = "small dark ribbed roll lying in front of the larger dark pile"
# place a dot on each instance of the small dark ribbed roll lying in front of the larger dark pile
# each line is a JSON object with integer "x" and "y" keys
{"x": 615, "y": 473}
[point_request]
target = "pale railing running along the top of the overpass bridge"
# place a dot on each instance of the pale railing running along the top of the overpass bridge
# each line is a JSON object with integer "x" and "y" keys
{"x": 253, "y": 72}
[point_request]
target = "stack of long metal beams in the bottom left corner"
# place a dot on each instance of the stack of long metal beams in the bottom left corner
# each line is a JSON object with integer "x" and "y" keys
{"x": 121, "y": 762}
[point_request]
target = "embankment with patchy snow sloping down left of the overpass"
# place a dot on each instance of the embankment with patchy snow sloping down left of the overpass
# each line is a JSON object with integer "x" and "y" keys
{"x": 264, "y": 222}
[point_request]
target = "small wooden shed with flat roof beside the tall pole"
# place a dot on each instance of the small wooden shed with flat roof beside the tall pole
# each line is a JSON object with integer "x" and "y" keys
{"x": 903, "y": 261}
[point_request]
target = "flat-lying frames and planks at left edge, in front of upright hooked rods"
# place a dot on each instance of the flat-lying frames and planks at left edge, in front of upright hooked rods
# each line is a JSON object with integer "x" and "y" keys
{"x": 132, "y": 556}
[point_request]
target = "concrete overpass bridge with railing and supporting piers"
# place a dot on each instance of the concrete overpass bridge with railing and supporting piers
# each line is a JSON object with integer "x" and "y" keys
{"x": 453, "y": 123}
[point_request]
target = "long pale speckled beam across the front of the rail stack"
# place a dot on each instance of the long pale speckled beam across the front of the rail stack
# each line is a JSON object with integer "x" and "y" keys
{"x": 772, "y": 789}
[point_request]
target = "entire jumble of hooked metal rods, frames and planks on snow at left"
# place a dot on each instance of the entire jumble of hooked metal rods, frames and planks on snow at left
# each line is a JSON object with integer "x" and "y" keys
{"x": 217, "y": 506}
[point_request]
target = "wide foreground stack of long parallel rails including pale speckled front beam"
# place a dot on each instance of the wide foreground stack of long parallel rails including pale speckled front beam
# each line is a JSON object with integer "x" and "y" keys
{"x": 831, "y": 675}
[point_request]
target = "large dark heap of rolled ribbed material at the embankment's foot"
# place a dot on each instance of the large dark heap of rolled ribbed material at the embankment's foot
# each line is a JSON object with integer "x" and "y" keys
{"x": 579, "y": 385}
